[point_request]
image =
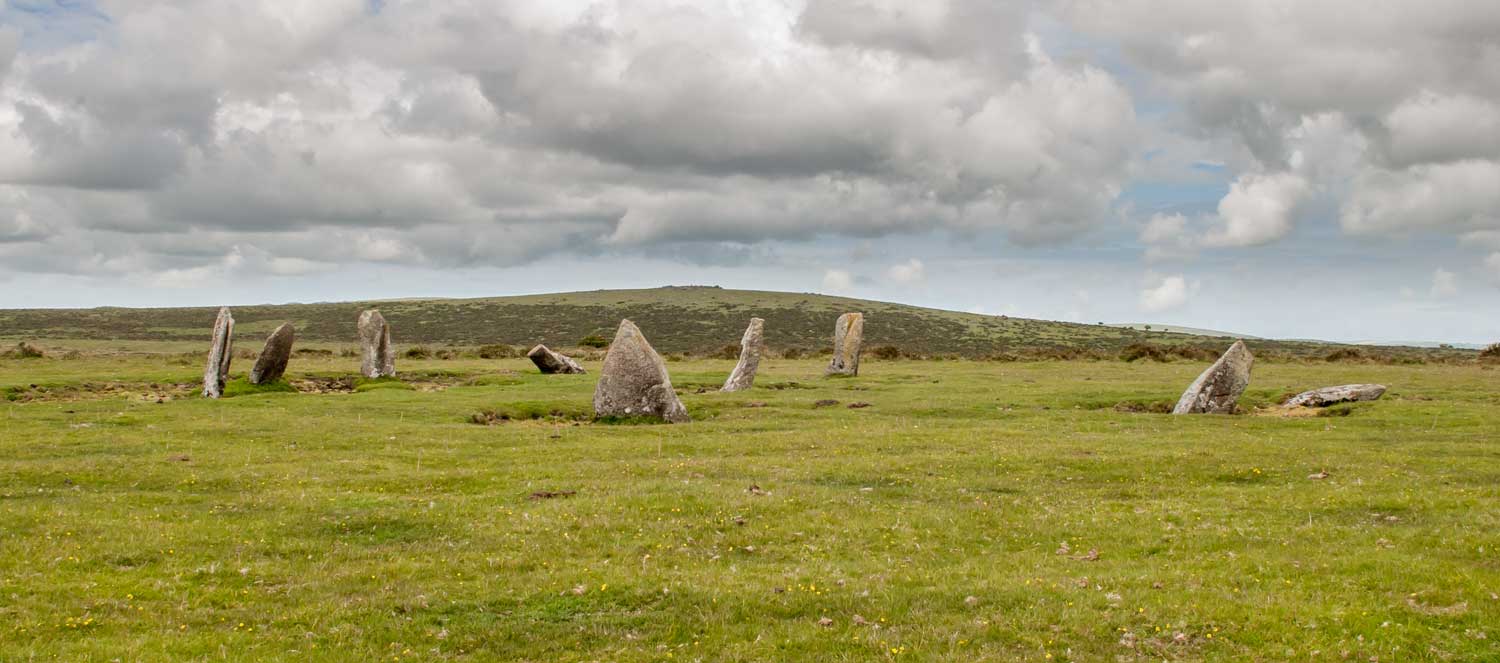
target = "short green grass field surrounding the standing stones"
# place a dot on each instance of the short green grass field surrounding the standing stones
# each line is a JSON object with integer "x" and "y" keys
{"x": 974, "y": 511}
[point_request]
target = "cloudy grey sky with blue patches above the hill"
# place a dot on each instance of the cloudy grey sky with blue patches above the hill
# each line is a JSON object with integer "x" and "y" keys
{"x": 1279, "y": 169}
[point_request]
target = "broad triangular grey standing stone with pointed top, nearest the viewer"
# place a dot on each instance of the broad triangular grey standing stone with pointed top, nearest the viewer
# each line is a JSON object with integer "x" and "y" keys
{"x": 634, "y": 380}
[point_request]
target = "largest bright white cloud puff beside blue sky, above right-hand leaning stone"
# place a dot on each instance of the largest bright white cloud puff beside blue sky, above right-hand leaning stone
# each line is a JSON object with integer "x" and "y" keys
{"x": 1259, "y": 209}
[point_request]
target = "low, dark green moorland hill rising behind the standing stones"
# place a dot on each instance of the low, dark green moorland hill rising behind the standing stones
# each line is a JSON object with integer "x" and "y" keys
{"x": 676, "y": 319}
